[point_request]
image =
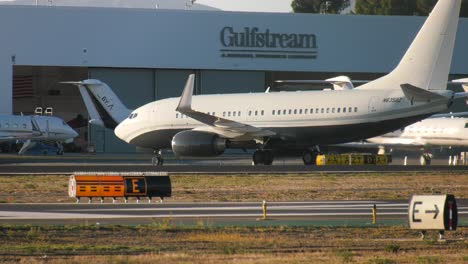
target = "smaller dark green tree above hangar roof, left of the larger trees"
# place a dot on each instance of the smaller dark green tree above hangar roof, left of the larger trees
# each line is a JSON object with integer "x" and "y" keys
{"x": 319, "y": 6}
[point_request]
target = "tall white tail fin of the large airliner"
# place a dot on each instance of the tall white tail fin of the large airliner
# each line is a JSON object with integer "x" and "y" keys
{"x": 426, "y": 63}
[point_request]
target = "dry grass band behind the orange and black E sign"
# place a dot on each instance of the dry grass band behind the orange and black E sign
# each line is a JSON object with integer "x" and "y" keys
{"x": 258, "y": 187}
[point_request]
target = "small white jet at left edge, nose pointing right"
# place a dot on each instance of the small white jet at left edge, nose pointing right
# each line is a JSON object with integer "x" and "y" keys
{"x": 31, "y": 129}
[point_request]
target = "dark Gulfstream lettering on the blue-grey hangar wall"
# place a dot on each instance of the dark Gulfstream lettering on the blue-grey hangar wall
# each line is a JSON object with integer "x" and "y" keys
{"x": 252, "y": 42}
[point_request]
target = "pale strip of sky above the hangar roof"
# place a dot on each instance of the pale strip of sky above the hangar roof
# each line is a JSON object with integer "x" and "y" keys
{"x": 283, "y": 6}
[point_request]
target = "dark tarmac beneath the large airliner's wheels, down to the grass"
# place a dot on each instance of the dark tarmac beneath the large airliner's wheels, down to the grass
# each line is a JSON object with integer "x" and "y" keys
{"x": 228, "y": 164}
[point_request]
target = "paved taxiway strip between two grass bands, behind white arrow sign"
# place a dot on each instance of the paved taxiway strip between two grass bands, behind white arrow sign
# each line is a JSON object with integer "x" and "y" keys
{"x": 307, "y": 212}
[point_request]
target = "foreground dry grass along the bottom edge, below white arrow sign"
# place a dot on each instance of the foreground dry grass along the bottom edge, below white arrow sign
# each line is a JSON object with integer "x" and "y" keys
{"x": 152, "y": 244}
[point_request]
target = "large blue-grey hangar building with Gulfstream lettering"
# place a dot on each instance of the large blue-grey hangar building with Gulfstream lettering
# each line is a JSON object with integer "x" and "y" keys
{"x": 147, "y": 53}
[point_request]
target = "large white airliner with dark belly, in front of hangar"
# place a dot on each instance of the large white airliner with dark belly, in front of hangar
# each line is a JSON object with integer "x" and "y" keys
{"x": 206, "y": 125}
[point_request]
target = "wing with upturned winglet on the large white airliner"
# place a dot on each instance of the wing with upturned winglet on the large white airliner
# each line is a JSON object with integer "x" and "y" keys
{"x": 222, "y": 126}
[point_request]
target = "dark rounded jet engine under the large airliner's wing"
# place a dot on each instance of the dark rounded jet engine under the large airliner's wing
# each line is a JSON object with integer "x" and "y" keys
{"x": 192, "y": 143}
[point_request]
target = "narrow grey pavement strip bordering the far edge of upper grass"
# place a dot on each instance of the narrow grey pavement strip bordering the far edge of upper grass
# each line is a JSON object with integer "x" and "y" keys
{"x": 70, "y": 168}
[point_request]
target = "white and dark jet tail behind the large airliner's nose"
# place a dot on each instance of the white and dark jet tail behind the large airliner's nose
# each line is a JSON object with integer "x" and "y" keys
{"x": 103, "y": 105}
